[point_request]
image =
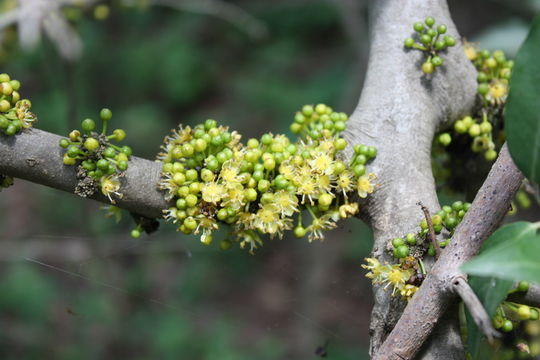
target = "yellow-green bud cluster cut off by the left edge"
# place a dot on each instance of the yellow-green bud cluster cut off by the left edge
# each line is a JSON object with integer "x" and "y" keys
{"x": 15, "y": 113}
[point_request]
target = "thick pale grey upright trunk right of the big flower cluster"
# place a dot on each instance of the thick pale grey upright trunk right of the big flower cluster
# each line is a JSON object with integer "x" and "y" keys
{"x": 398, "y": 112}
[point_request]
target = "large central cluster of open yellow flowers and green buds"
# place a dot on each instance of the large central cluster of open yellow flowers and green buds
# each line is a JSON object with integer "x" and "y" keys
{"x": 261, "y": 187}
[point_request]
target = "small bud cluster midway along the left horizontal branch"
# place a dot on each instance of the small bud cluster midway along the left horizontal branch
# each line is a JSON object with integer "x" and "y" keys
{"x": 100, "y": 164}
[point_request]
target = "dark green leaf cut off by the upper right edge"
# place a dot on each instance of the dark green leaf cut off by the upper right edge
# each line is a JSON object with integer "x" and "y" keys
{"x": 522, "y": 117}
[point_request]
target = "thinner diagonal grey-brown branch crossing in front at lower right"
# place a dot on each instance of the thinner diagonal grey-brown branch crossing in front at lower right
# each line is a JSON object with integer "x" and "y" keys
{"x": 427, "y": 306}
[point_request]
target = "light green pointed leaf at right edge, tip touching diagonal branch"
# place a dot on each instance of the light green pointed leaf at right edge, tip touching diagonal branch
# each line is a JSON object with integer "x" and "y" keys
{"x": 513, "y": 254}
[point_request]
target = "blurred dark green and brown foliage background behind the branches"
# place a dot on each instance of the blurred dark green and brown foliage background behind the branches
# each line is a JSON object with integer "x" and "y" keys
{"x": 74, "y": 285}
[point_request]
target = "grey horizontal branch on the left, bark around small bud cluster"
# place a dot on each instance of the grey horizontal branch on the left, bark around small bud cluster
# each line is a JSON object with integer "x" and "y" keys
{"x": 35, "y": 155}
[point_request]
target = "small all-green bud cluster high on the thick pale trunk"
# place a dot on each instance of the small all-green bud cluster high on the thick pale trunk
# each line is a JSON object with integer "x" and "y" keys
{"x": 430, "y": 42}
